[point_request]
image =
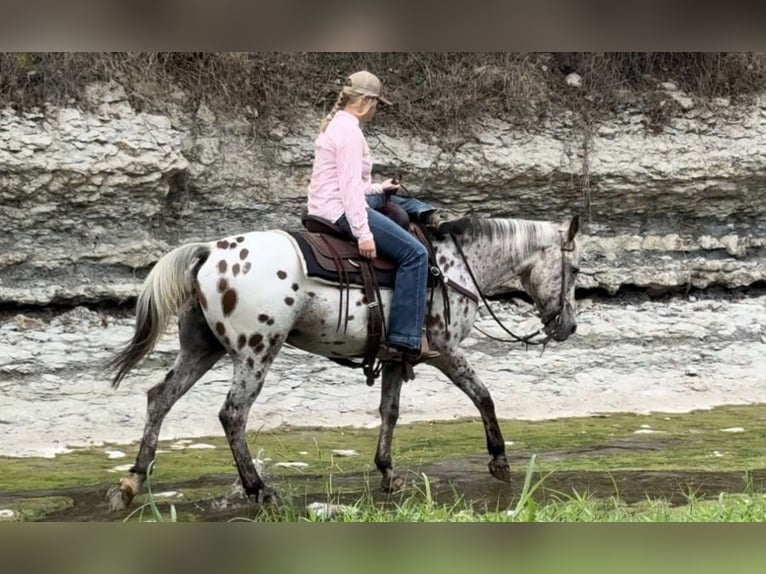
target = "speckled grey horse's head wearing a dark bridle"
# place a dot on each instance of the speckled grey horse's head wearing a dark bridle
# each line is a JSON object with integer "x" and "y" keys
{"x": 549, "y": 277}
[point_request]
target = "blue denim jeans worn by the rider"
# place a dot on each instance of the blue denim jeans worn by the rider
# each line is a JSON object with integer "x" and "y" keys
{"x": 408, "y": 304}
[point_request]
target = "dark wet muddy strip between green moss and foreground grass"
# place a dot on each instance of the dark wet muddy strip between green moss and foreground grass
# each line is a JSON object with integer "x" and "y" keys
{"x": 450, "y": 481}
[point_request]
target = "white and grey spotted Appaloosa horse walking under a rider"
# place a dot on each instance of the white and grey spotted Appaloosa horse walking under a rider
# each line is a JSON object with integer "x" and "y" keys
{"x": 248, "y": 295}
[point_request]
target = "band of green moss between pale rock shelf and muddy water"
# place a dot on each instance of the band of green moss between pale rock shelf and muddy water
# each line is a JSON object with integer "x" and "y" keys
{"x": 681, "y": 441}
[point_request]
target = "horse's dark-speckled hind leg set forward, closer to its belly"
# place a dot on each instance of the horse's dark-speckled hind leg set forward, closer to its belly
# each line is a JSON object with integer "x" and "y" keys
{"x": 249, "y": 373}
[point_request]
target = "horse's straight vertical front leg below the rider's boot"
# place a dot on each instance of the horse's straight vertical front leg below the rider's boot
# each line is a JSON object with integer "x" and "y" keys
{"x": 389, "y": 413}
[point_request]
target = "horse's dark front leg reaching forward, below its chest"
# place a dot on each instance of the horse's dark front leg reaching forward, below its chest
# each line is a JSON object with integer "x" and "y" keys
{"x": 455, "y": 365}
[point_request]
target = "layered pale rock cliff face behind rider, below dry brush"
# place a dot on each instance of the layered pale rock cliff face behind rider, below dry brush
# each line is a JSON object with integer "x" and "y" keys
{"x": 90, "y": 199}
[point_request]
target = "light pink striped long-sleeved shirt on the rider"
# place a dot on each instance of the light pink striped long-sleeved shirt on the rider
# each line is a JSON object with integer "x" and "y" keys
{"x": 341, "y": 176}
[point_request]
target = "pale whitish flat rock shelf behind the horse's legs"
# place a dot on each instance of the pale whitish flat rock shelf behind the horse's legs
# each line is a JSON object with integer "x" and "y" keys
{"x": 631, "y": 353}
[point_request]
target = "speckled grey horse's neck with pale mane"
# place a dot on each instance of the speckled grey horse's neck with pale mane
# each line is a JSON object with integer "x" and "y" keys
{"x": 497, "y": 248}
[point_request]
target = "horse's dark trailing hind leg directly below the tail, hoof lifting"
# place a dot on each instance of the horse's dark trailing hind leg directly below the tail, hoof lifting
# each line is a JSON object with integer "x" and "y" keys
{"x": 199, "y": 351}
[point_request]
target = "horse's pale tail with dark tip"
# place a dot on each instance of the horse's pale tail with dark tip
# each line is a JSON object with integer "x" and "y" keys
{"x": 167, "y": 287}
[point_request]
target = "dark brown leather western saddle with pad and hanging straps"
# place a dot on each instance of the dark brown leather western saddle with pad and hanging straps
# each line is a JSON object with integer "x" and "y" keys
{"x": 332, "y": 256}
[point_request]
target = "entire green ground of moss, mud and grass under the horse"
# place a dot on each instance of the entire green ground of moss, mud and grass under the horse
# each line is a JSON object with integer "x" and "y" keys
{"x": 585, "y": 468}
